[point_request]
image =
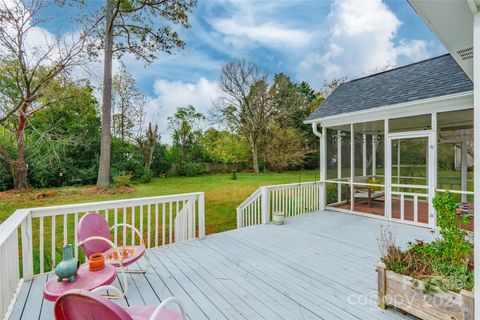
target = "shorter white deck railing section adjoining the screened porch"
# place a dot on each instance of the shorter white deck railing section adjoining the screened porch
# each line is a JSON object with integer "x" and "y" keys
{"x": 291, "y": 199}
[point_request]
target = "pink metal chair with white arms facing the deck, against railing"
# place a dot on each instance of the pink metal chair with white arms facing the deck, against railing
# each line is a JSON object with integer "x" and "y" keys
{"x": 94, "y": 236}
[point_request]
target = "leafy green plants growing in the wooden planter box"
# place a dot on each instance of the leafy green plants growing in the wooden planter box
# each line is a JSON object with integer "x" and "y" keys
{"x": 446, "y": 263}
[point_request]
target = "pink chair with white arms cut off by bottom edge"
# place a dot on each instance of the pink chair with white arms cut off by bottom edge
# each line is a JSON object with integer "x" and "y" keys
{"x": 81, "y": 304}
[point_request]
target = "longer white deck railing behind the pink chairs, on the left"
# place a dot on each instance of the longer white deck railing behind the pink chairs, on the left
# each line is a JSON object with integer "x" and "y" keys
{"x": 43, "y": 232}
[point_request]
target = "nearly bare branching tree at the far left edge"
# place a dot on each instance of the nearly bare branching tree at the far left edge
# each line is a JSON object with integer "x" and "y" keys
{"x": 25, "y": 75}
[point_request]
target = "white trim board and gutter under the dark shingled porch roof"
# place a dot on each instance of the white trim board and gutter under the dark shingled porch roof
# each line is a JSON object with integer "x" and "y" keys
{"x": 458, "y": 101}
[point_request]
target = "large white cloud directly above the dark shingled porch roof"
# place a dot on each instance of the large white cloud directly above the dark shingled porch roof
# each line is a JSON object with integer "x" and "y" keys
{"x": 361, "y": 39}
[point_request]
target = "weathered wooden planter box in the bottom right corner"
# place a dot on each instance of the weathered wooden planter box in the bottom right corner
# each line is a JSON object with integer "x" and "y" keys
{"x": 406, "y": 293}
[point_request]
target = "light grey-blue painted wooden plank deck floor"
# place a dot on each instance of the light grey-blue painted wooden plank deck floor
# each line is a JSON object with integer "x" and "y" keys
{"x": 316, "y": 266}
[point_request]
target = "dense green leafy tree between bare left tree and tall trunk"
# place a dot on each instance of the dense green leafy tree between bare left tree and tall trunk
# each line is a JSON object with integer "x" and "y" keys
{"x": 64, "y": 139}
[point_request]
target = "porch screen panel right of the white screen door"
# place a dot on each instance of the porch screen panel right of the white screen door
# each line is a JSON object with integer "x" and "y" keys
{"x": 455, "y": 160}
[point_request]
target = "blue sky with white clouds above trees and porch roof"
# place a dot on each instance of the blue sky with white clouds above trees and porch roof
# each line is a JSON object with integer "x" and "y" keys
{"x": 309, "y": 40}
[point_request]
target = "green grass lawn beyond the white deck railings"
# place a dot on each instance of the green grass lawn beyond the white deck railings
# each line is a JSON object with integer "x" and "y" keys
{"x": 222, "y": 194}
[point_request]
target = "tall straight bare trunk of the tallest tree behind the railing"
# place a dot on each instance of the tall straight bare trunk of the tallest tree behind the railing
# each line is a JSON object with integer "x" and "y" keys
{"x": 103, "y": 180}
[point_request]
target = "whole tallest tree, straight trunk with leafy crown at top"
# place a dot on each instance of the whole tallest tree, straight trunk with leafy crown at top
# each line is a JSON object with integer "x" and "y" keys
{"x": 138, "y": 27}
